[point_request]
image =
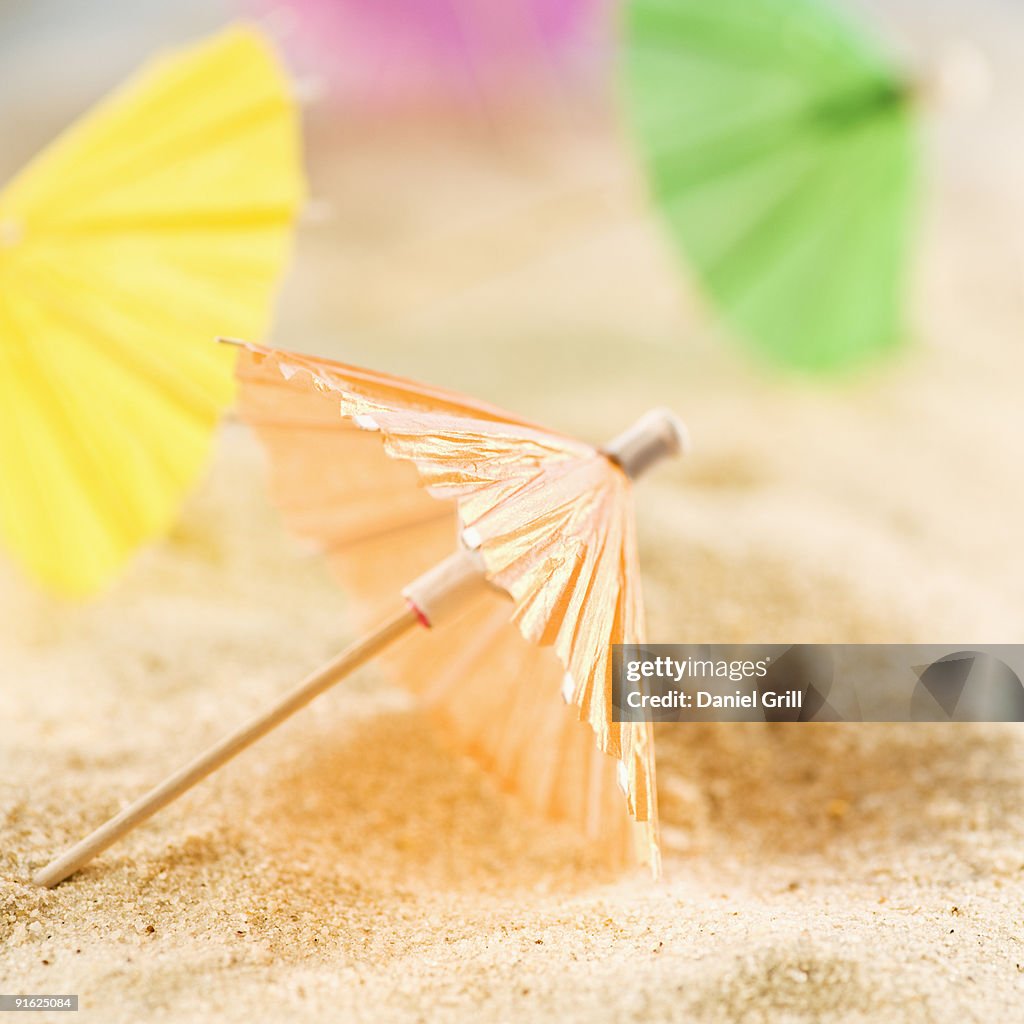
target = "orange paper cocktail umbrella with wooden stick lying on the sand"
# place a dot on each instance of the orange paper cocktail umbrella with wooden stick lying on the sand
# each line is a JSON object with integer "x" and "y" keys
{"x": 543, "y": 582}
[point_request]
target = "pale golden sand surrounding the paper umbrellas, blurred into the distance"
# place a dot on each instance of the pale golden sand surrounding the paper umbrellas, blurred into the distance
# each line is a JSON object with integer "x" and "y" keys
{"x": 351, "y": 868}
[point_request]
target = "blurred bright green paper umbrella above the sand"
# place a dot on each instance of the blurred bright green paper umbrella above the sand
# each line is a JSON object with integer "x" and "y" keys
{"x": 781, "y": 147}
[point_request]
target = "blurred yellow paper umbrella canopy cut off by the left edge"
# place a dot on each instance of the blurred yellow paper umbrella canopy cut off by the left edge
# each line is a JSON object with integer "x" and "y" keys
{"x": 159, "y": 222}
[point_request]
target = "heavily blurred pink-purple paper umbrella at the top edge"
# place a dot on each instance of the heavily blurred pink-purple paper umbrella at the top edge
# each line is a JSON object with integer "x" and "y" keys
{"x": 401, "y": 51}
